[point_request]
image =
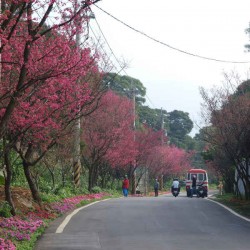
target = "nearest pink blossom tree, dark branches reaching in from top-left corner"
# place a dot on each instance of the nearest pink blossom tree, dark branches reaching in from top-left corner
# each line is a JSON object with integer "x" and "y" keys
{"x": 25, "y": 25}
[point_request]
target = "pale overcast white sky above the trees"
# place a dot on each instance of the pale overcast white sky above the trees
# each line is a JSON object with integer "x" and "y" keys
{"x": 213, "y": 29}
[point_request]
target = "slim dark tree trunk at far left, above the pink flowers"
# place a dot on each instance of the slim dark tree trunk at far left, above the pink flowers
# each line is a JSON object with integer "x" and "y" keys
{"x": 8, "y": 177}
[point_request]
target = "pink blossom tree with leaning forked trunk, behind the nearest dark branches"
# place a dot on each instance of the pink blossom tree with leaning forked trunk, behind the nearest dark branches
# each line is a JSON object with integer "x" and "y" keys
{"x": 66, "y": 80}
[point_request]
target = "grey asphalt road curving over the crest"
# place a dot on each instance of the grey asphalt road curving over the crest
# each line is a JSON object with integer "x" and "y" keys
{"x": 156, "y": 223}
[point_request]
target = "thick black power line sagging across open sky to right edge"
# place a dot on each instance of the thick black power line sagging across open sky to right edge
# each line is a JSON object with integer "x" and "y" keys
{"x": 167, "y": 45}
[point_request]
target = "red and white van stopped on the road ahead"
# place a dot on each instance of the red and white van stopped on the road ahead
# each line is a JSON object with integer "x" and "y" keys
{"x": 201, "y": 181}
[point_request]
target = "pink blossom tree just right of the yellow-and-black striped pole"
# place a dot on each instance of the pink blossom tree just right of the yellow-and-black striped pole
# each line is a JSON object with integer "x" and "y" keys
{"x": 108, "y": 135}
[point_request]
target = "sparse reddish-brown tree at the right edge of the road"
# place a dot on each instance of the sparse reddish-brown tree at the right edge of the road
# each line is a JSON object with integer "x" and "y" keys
{"x": 229, "y": 115}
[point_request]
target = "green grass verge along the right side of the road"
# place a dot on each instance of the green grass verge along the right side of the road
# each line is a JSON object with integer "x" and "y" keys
{"x": 230, "y": 200}
